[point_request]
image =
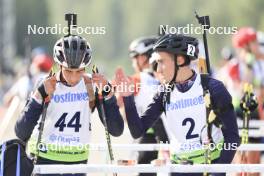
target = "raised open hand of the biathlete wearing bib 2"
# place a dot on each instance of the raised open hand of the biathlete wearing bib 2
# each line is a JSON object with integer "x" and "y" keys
{"x": 124, "y": 85}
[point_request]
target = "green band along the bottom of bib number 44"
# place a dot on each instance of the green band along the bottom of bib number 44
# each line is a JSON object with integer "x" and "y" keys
{"x": 62, "y": 153}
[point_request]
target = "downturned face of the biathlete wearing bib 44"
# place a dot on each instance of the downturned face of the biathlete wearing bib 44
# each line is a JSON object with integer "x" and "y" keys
{"x": 72, "y": 76}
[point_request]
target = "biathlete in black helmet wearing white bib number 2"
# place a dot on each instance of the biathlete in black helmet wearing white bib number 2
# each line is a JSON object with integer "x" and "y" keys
{"x": 183, "y": 102}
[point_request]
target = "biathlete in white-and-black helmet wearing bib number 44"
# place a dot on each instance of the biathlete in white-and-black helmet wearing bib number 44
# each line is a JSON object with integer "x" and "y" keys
{"x": 67, "y": 129}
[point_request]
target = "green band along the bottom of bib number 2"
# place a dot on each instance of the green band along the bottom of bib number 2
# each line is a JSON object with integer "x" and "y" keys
{"x": 197, "y": 156}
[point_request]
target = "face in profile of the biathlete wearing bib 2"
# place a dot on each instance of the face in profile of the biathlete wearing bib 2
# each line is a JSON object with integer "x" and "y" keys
{"x": 165, "y": 66}
